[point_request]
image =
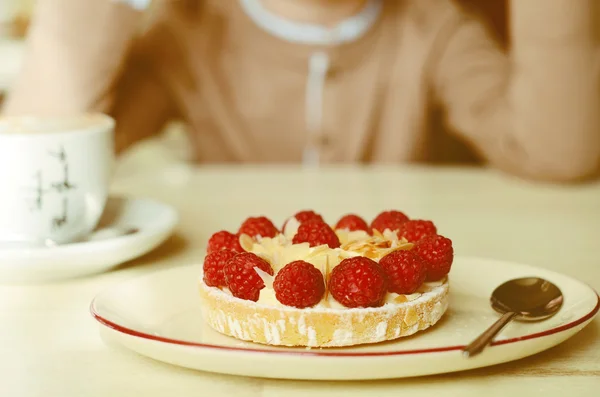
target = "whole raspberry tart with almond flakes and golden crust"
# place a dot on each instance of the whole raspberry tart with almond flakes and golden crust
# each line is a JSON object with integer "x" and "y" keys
{"x": 316, "y": 285}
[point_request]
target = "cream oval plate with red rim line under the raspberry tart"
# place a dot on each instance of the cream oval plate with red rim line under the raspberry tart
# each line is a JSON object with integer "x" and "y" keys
{"x": 158, "y": 315}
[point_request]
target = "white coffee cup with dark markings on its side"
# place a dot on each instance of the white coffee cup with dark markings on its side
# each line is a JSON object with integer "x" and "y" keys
{"x": 54, "y": 176}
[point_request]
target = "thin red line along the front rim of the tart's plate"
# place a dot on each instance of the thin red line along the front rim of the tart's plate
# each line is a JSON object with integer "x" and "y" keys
{"x": 322, "y": 353}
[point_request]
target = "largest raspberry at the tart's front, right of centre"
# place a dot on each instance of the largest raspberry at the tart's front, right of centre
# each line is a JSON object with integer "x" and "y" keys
{"x": 358, "y": 282}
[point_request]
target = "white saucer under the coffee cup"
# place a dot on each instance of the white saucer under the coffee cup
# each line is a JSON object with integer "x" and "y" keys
{"x": 152, "y": 221}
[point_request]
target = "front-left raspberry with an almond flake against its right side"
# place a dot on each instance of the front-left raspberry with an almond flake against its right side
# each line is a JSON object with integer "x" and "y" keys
{"x": 242, "y": 279}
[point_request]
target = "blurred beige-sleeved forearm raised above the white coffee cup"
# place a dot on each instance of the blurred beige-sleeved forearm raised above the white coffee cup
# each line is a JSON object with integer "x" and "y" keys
{"x": 93, "y": 38}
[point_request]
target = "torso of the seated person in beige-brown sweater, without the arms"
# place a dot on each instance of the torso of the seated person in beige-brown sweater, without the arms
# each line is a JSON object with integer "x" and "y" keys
{"x": 244, "y": 92}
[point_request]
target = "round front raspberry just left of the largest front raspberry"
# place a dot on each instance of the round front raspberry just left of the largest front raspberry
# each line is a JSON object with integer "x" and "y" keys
{"x": 299, "y": 284}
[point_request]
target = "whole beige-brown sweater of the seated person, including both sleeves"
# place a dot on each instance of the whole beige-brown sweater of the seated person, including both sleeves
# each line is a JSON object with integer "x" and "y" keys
{"x": 243, "y": 91}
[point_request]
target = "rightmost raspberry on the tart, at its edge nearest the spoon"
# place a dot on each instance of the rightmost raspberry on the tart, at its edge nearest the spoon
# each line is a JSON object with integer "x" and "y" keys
{"x": 437, "y": 254}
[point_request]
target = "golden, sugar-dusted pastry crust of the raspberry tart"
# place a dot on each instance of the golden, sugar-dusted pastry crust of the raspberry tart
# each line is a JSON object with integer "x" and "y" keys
{"x": 320, "y": 326}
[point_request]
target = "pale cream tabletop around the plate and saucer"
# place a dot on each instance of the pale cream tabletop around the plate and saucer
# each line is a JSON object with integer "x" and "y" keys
{"x": 49, "y": 344}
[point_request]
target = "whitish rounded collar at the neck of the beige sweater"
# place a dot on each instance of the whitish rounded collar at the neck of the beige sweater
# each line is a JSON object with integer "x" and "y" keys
{"x": 304, "y": 33}
